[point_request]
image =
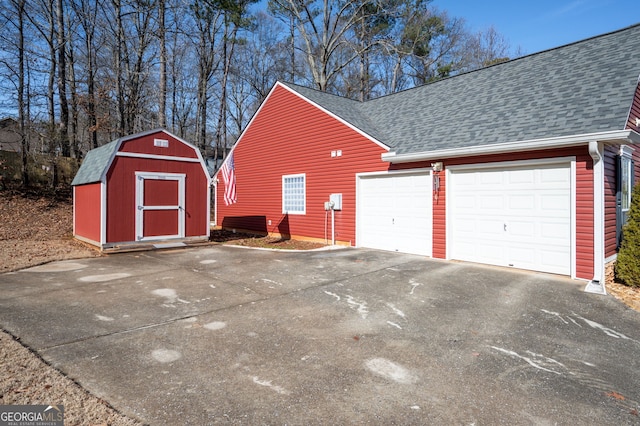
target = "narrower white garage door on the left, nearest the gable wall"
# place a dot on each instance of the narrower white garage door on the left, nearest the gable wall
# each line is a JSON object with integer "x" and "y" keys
{"x": 394, "y": 213}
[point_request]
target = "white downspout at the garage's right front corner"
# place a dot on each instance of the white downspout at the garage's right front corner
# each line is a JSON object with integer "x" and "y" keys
{"x": 597, "y": 284}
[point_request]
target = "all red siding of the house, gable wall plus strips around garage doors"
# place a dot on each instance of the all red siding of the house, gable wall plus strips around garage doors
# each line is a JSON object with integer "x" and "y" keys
{"x": 302, "y": 144}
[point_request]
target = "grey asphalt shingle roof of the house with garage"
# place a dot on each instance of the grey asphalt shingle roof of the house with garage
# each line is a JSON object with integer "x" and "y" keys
{"x": 584, "y": 87}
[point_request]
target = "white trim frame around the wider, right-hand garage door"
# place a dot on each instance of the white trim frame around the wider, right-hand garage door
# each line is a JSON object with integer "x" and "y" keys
{"x": 569, "y": 161}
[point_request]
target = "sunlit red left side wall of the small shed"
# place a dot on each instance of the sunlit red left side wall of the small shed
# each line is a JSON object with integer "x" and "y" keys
{"x": 87, "y": 208}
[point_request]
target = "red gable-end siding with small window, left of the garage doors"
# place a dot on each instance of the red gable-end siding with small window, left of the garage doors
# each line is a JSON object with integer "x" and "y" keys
{"x": 271, "y": 148}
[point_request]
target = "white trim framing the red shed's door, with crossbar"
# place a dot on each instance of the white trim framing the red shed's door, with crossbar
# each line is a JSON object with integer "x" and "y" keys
{"x": 141, "y": 208}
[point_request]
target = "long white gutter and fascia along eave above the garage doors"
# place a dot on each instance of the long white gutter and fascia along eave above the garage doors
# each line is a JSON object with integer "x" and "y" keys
{"x": 617, "y": 136}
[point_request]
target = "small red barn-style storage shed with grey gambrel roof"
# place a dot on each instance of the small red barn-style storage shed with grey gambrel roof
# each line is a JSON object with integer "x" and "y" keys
{"x": 147, "y": 189}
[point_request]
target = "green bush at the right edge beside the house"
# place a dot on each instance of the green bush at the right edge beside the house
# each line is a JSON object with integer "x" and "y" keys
{"x": 628, "y": 263}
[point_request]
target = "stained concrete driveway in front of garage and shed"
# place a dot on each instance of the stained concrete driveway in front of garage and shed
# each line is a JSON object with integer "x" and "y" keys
{"x": 232, "y": 335}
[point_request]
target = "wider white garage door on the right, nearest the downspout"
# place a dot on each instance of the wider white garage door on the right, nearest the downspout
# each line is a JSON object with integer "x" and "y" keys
{"x": 518, "y": 217}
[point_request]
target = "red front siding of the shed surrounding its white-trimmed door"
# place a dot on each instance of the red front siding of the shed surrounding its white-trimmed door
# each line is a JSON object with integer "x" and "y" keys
{"x": 121, "y": 195}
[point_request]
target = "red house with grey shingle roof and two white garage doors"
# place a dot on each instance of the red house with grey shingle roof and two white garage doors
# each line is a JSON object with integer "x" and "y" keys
{"x": 525, "y": 164}
